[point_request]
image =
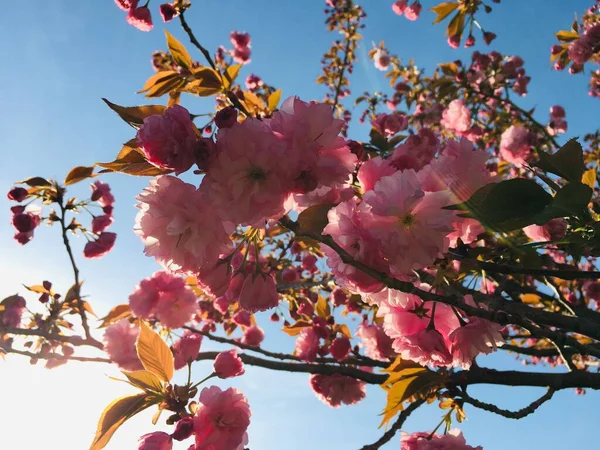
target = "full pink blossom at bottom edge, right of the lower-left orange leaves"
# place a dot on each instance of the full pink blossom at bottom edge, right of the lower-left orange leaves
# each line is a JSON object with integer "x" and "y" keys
{"x": 221, "y": 420}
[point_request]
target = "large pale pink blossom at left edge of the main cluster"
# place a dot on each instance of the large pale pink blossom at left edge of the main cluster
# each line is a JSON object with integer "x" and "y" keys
{"x": 178, "y": 226}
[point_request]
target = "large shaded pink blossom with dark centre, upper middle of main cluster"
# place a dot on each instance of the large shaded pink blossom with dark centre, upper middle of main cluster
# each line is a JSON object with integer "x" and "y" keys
{"x": 246, "y": 181}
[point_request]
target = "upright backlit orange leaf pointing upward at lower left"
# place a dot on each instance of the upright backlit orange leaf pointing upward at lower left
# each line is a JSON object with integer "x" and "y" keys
{"x": 154, "y": 353}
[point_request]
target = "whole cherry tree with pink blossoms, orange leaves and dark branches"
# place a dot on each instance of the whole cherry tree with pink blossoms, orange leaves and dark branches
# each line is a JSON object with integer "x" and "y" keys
{"x": 461, "y": 227}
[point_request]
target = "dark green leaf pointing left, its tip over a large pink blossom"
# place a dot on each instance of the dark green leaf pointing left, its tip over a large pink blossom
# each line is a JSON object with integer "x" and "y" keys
{"x": 507, "y": 205}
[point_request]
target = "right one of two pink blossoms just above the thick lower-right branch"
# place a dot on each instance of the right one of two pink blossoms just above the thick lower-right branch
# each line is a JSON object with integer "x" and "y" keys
{"x": 476, "y": 337}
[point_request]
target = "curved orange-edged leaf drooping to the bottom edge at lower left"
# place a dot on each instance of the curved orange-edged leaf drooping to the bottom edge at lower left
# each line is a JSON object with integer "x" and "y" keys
{"x": 115, "y": 414}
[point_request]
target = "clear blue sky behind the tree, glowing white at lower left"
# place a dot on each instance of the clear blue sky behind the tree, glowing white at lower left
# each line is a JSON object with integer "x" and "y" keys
{"x": 61, "y": 56}
